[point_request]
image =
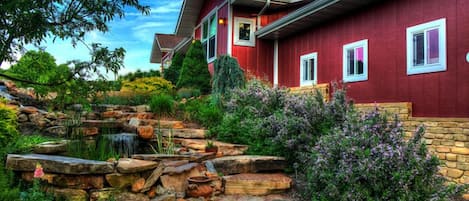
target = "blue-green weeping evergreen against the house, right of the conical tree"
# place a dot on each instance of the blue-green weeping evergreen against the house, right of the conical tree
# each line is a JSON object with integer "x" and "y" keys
{"x": 228, "y": 75}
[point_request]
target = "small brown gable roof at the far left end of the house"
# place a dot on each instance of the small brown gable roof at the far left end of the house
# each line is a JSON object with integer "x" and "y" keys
{"x": 163, "y": 43}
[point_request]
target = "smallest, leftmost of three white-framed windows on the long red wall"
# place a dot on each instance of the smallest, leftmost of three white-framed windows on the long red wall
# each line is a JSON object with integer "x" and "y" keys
{"x": 308, "y": 69}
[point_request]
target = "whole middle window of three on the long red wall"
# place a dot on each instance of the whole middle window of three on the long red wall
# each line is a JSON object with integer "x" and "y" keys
{"x": 355, "y": 61}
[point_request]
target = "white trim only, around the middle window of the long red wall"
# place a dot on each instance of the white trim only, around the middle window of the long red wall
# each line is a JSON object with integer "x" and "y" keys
{"x": 355, "y": 78}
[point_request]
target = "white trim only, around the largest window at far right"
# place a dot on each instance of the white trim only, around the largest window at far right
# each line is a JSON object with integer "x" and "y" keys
{"x": 427, "y": 68}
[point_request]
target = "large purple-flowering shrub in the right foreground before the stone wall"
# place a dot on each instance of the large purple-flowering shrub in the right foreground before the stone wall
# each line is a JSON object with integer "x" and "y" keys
{"x": 367, "y": 158}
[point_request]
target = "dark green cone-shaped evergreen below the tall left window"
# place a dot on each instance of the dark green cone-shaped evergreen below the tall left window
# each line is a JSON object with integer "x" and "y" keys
{"x": 194, "y": 71}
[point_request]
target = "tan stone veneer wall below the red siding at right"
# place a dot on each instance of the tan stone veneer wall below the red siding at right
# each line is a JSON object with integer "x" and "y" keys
{"x": 447, "y": 138}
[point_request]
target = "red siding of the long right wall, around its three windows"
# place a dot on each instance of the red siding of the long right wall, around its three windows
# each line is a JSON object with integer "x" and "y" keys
{"x": 442, "y": 94}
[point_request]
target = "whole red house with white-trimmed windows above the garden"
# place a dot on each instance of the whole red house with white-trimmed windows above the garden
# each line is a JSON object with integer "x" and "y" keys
{"x": 386, "y": 51}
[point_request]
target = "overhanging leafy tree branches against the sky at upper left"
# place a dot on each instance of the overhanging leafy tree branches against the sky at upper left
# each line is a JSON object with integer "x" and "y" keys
{"x": 33, "y": 21}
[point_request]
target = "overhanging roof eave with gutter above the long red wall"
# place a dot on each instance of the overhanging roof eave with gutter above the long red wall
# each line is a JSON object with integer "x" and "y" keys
{"x": 309, "y": 15}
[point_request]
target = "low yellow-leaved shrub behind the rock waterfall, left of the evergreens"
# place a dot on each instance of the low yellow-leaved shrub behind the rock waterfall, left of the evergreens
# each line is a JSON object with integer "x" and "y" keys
{"x": 148, "y": 85}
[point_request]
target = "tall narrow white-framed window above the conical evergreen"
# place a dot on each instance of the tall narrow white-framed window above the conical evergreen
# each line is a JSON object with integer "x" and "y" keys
{"x": 209, "y": 36}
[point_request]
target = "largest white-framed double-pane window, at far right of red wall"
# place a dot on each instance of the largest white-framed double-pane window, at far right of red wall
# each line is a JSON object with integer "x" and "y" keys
{"x": 426, "y": 47}
